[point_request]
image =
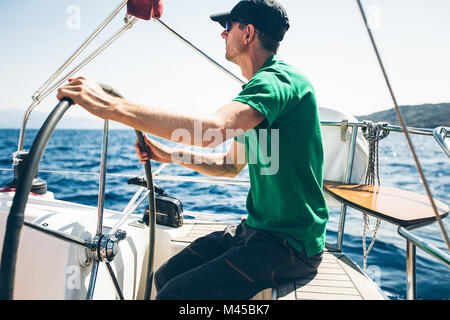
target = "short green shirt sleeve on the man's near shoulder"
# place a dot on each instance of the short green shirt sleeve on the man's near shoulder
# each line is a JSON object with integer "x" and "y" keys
{"x": 263, "y": 94}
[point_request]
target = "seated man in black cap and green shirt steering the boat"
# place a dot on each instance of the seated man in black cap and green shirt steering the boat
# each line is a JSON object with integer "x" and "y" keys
{"x": 284, "y": 234}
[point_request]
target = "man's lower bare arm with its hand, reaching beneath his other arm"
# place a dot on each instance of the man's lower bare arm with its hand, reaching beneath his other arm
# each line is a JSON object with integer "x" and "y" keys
{"x": 213, "y": 164}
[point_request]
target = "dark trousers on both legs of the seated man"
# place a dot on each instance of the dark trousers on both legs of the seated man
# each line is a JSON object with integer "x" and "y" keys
{"x": 236, "y": 264}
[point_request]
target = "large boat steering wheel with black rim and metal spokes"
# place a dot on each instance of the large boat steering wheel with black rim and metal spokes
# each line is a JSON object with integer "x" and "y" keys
{"x": 104, "y": 246}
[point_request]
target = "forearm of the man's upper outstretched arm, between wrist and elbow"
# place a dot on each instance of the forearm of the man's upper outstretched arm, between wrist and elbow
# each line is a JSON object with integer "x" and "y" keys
{"x": 164, "y": 123}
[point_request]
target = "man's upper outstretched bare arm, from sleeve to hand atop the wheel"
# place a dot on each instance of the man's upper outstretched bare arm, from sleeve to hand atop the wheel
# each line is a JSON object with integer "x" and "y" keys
{"x": 206, "y": 131}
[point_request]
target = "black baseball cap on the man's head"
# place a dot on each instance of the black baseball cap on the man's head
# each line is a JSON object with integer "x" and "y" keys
{"x": 267, "y": 16}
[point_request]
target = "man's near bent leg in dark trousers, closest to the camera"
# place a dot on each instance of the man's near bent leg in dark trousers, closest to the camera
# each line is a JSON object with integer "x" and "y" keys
{"x": 241, "y": 272}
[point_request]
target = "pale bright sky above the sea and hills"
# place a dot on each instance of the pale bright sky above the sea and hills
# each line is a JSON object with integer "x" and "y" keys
{"x": 327, "y": 41}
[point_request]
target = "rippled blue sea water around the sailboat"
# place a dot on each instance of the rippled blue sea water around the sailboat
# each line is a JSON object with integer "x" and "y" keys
{"x": 77, "y": 152}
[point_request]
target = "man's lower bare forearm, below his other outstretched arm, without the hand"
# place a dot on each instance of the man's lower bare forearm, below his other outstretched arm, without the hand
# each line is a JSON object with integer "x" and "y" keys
{"x": 212, "y": 164}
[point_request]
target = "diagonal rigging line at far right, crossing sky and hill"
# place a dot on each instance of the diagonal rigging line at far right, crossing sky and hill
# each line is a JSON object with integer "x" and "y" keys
{"x": 403, "y": 124}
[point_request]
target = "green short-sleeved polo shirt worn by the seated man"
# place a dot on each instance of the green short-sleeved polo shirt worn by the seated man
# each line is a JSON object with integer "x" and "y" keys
{"x": 285, "y": 157}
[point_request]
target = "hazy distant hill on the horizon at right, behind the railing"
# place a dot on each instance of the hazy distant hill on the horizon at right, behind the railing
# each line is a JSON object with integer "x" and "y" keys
{"x": 422, "y": 116}
